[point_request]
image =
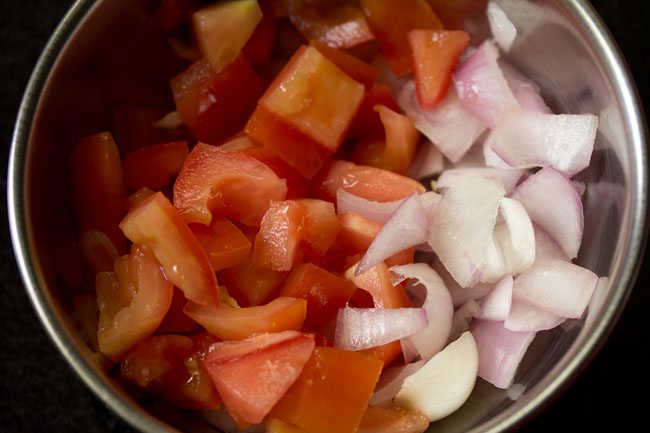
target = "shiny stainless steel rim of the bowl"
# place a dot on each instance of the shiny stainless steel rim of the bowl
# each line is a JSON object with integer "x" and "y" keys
{"x": 548, "y": 388}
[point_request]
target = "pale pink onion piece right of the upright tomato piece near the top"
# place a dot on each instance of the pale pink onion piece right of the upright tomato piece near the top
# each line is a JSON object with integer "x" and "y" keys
{"x": 482, "y": 88}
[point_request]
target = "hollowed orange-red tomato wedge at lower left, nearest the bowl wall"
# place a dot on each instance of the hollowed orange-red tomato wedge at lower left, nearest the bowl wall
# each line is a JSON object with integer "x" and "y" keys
{"x": 132, "y": 302}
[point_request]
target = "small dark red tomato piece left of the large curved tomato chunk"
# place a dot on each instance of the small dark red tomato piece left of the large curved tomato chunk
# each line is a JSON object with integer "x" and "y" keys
{"x": 154, "y": 166}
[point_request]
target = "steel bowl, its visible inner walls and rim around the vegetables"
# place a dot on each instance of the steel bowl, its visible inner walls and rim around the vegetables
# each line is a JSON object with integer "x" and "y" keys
{"x": 563, "y": 45}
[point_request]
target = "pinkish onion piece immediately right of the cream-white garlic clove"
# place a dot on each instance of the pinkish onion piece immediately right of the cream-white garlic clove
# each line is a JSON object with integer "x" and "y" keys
{"x": 500, "y": 351}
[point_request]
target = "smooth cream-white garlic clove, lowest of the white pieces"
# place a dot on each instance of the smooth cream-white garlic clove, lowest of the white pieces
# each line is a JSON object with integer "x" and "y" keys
{"x": 445, "y": 382}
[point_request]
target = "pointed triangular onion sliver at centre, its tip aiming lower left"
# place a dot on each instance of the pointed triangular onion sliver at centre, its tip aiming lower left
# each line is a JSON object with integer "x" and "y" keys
{"x": 406, "y": 228}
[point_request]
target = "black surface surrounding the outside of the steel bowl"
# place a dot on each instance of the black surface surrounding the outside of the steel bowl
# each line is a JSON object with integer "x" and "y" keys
{"x": 40, "y": 393}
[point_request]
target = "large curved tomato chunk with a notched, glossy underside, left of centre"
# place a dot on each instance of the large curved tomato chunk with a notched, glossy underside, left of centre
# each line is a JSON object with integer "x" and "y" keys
{"x": 216, "y": 182}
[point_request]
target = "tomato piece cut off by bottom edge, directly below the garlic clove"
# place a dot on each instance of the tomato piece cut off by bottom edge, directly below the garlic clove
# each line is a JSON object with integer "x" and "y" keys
{"x": 389, "y": 417}
